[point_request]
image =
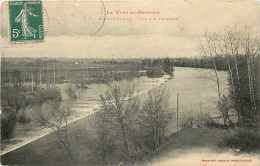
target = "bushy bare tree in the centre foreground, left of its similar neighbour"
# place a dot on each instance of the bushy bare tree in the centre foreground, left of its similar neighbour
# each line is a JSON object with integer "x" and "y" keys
{"x": 119, "y": 104}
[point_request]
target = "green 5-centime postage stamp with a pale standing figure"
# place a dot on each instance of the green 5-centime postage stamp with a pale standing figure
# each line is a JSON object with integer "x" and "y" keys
{"x": 26, "y": 20}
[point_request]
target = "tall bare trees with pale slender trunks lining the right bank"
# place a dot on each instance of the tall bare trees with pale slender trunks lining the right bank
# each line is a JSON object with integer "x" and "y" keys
{"x": 241, "y": 51}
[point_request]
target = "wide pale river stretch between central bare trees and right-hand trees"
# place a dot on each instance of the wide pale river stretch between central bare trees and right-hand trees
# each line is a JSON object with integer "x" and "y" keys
{"x": 198, "y": 95}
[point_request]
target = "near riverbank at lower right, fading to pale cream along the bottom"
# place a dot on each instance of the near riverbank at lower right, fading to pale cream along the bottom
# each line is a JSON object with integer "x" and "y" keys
{"x": 202, "y": 146}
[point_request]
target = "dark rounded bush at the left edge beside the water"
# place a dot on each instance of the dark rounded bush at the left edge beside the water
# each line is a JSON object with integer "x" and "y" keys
{"x": 8, "y": 123}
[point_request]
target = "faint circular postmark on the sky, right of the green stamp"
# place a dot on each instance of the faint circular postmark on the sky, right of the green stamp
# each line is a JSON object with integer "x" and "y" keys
{"x": 74, "y": 18}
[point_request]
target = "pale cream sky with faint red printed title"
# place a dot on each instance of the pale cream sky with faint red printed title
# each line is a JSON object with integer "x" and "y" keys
{"x": 130, "y": 29}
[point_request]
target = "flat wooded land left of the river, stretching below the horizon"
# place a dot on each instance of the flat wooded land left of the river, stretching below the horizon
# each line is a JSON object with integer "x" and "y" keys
{"x": 49, "y": 71}
